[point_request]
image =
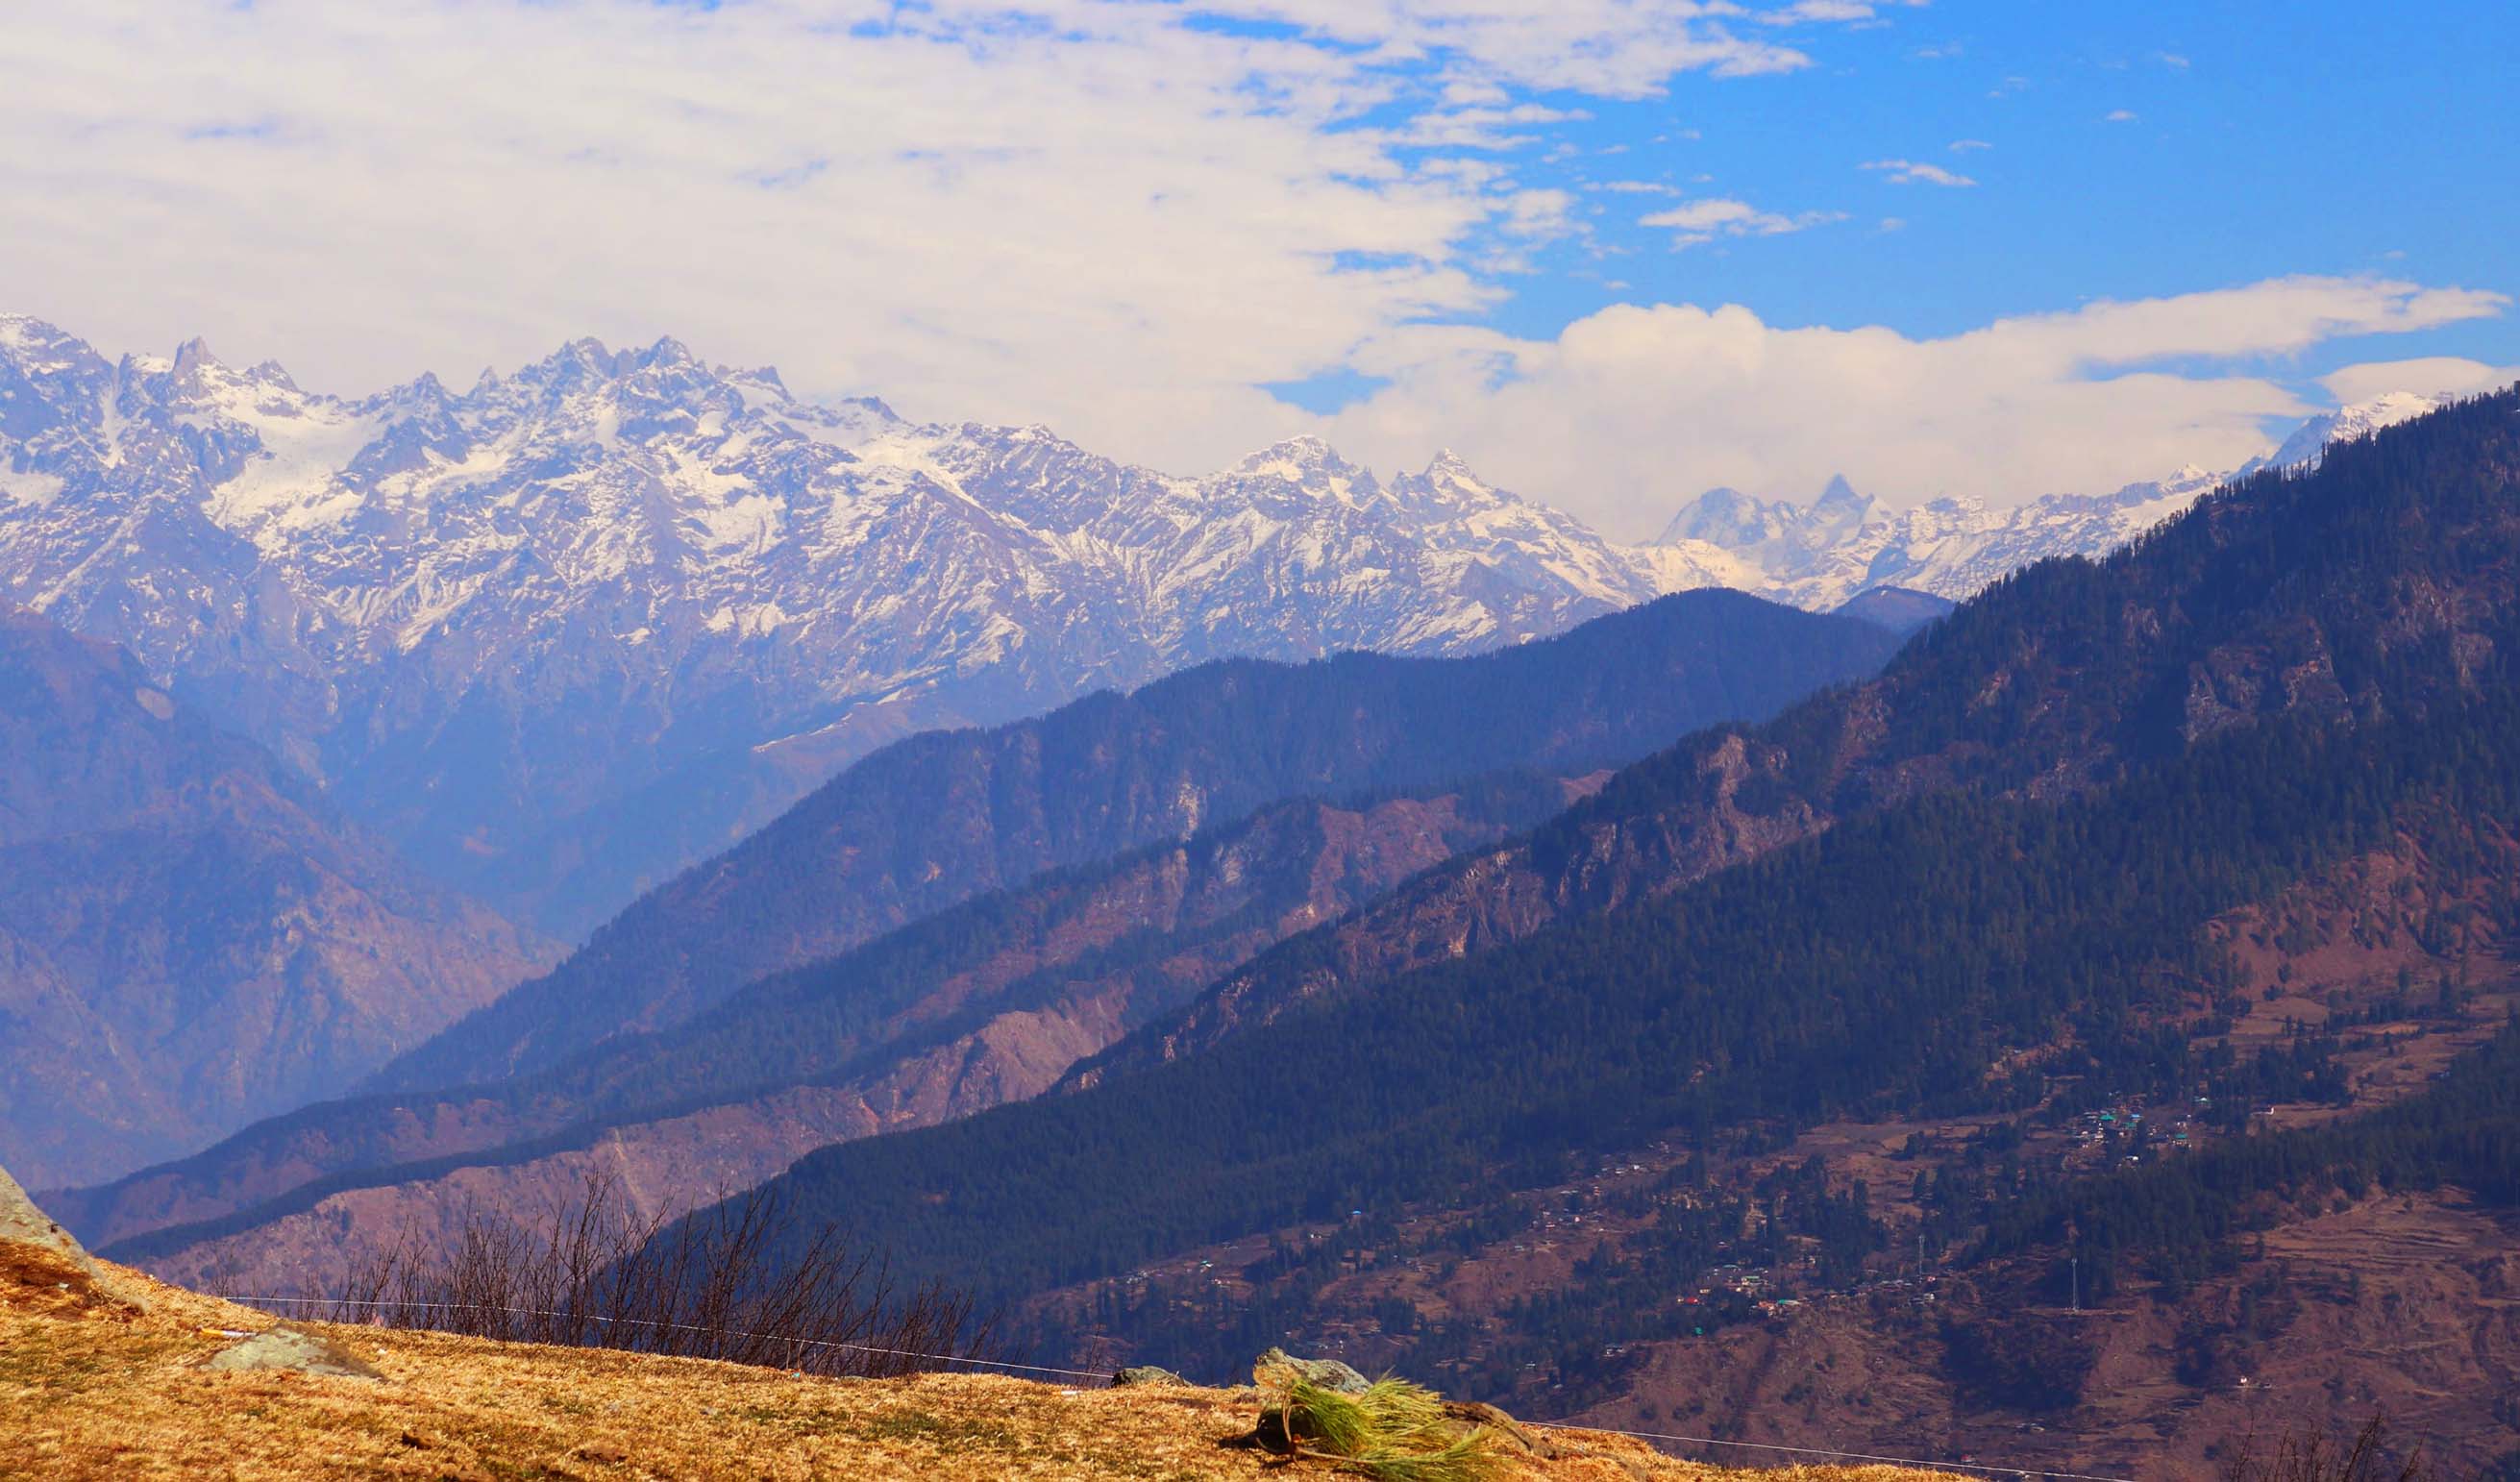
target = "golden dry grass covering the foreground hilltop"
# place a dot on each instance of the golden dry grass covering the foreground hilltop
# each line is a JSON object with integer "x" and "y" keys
{"x": 92, "y": 1387}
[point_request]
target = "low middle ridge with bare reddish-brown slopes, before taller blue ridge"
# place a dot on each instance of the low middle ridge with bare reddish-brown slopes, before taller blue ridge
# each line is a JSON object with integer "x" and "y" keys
{"x": 1060, "y": 972}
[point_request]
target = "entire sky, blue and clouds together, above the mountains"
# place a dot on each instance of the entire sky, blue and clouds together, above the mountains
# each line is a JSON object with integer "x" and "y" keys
{"x": 1612, "y": 251}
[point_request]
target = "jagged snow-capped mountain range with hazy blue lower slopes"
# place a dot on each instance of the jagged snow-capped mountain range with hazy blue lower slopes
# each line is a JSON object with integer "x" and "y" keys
{"x": 578, "y": 626}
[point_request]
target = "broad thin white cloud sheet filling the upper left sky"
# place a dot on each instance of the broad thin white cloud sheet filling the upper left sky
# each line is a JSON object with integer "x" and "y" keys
{"x": 1014, "y": 210}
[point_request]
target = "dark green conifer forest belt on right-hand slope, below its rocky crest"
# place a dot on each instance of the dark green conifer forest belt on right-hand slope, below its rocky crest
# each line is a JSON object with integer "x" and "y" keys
{"x": 1884, "y": 967}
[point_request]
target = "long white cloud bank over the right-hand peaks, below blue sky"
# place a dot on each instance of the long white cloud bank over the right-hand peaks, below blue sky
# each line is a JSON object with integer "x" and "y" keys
{"x": 1637, "y": 410}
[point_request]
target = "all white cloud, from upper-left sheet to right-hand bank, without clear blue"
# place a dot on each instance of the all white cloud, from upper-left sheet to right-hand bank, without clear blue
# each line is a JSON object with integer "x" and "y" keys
{"x": 1105, "y": 215}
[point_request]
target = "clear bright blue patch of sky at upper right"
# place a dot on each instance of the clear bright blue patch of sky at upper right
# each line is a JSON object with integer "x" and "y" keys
{"x": 2259, "y": 142}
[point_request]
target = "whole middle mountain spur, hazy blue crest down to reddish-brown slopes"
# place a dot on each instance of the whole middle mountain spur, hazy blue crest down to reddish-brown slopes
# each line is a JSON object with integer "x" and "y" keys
{"x": 1181, "y": 830}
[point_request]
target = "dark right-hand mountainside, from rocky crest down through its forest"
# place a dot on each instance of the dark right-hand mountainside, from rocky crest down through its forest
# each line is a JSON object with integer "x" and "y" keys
{"x": 2007, "y": 851}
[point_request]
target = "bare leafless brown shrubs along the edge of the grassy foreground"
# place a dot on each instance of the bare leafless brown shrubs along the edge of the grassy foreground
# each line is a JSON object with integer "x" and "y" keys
{"x": 714, "y": 1287}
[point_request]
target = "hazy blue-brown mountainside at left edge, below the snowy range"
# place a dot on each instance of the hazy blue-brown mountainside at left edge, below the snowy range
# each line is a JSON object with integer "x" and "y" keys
{"x": 190, "y": 939}
